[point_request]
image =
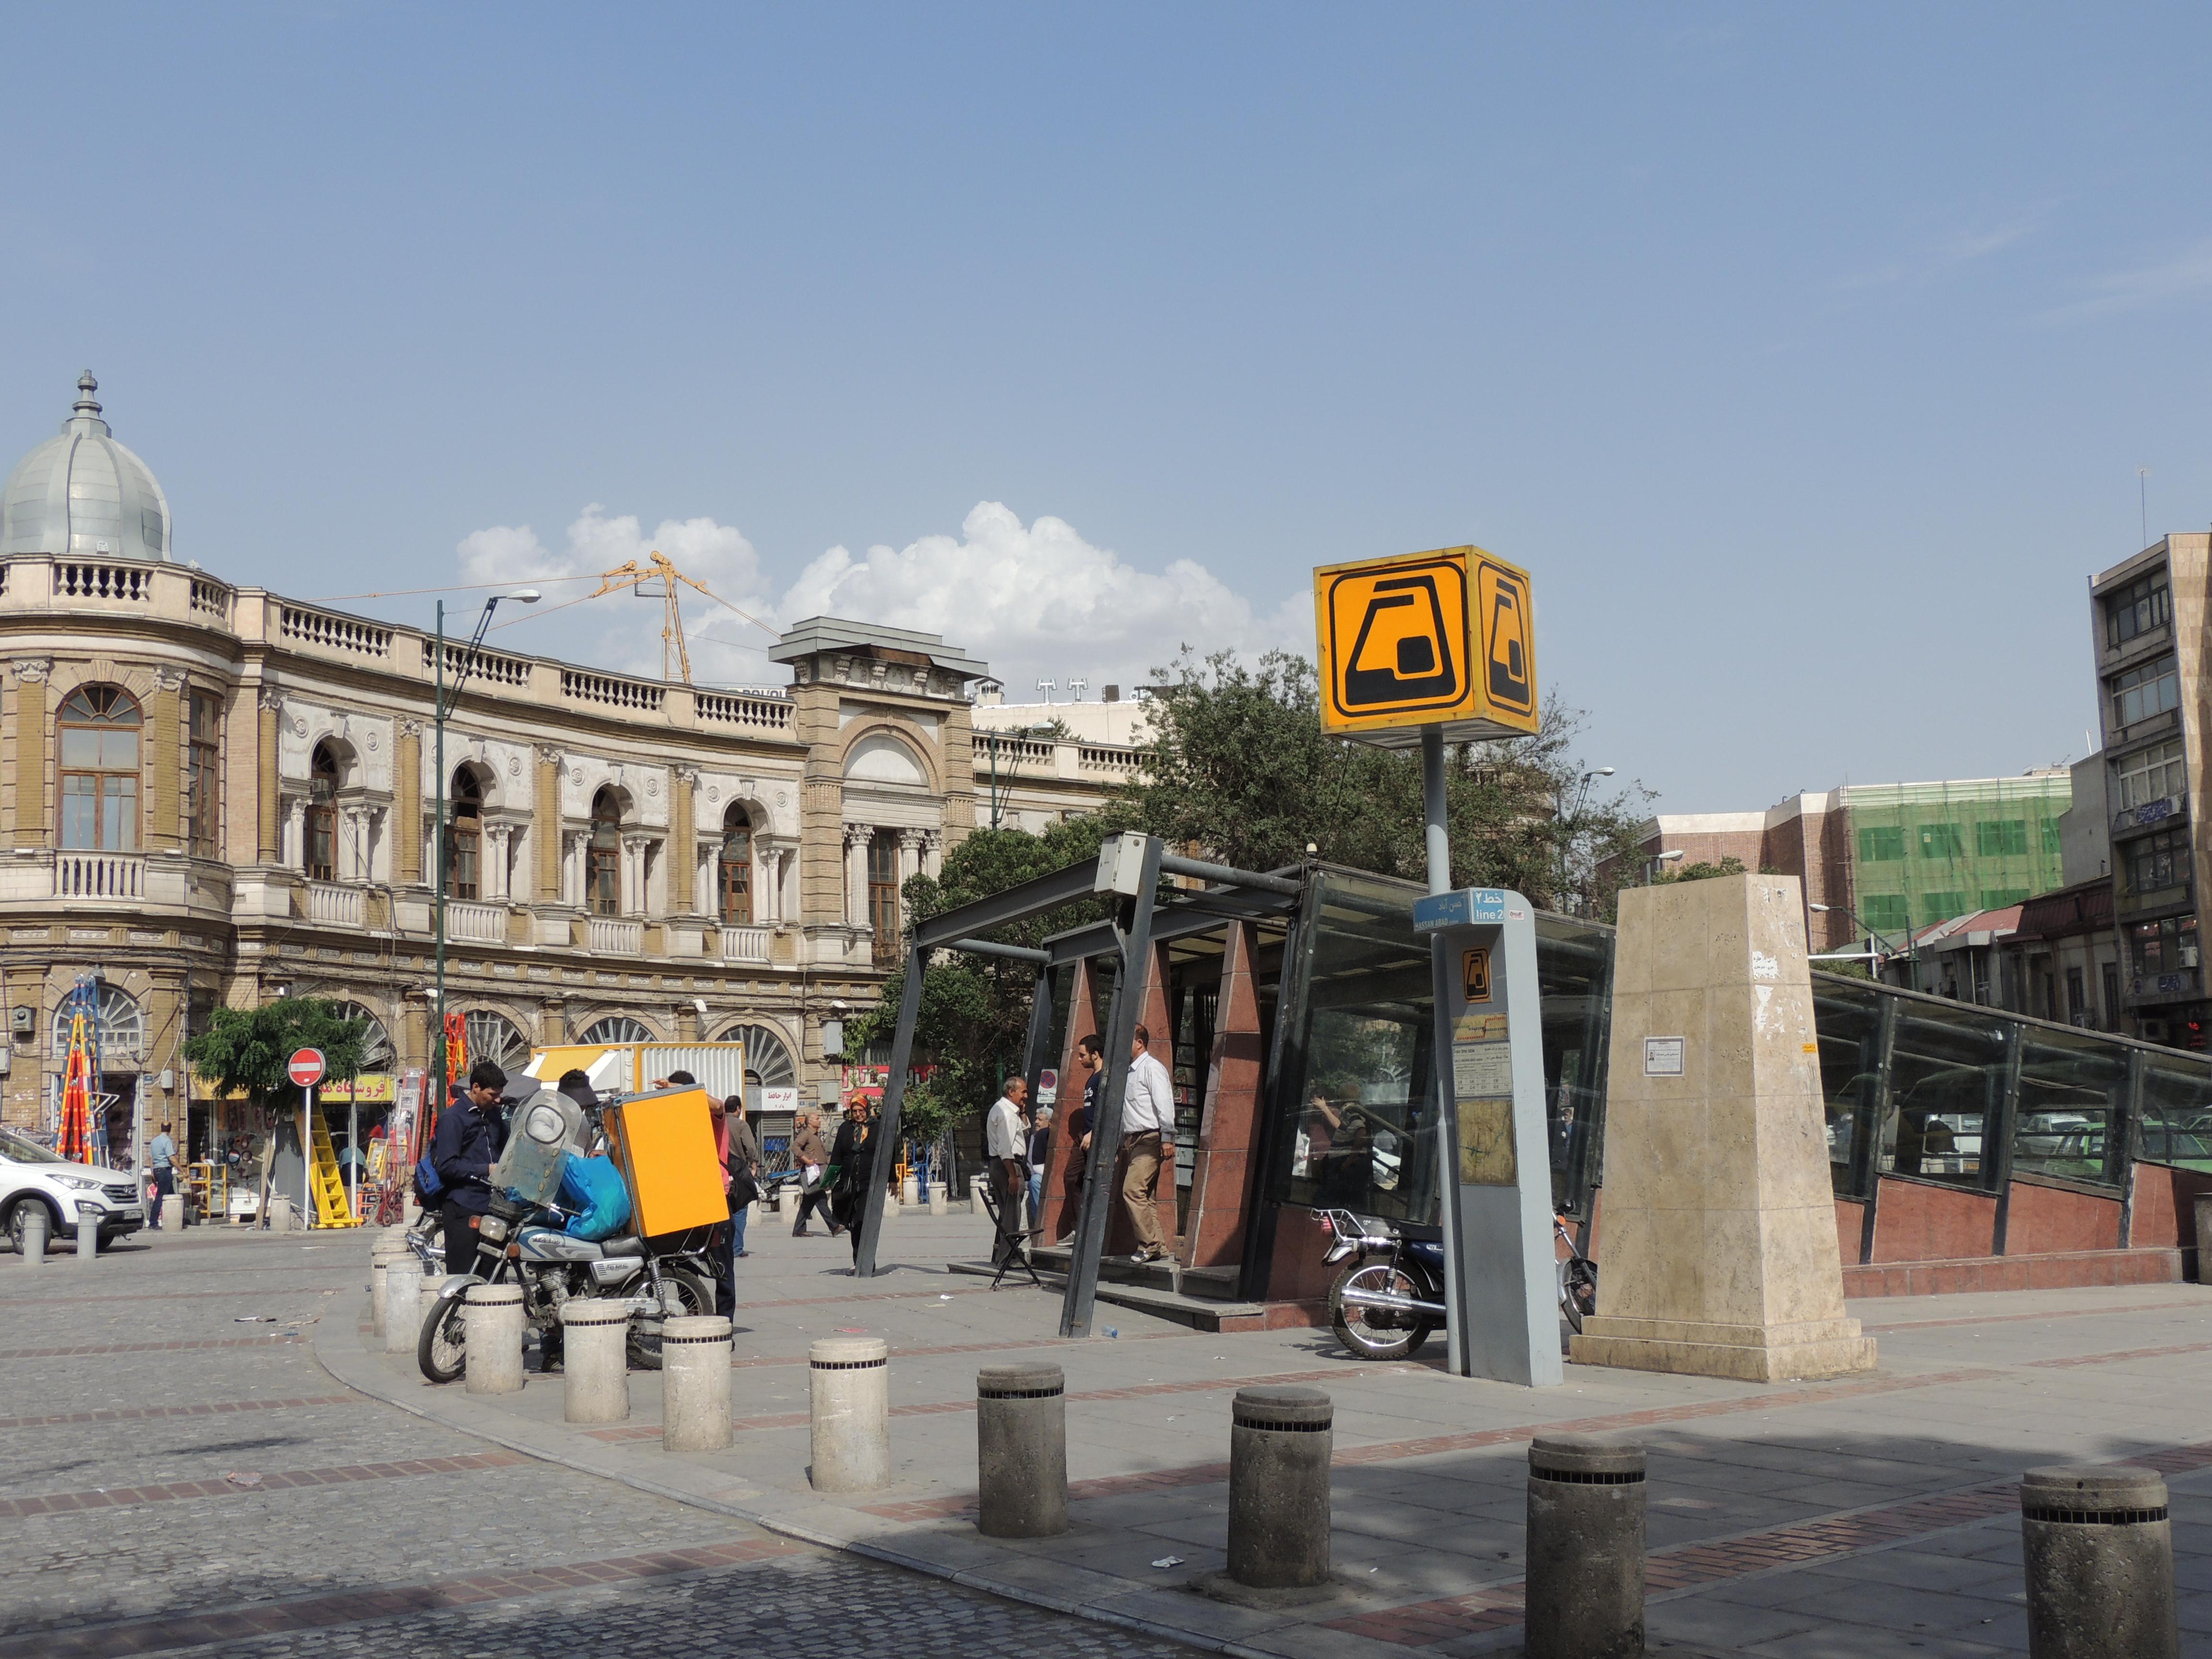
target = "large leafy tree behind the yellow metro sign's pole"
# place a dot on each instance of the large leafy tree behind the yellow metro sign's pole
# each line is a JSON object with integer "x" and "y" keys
{"x": 1240, "y": 766}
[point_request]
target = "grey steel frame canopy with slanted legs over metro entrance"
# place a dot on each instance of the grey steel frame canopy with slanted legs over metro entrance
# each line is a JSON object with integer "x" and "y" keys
{"x": 1127, "y": 875}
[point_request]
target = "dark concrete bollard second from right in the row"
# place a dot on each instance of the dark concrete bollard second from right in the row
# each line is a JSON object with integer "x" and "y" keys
{"x": 1585, "y": 1547}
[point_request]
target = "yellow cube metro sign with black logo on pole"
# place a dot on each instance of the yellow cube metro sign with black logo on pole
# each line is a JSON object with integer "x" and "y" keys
{"x": 1426, "y": 640}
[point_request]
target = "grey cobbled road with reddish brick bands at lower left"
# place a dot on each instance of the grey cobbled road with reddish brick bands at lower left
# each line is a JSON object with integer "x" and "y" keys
{"x": 125, "y": 1525}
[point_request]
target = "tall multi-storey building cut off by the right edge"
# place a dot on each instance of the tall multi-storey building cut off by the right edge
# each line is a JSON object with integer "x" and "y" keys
{"x": 2149, "y": 640}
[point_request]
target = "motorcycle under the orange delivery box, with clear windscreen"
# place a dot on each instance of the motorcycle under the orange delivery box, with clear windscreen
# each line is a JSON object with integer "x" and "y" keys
{"x": 521, "y": 1240}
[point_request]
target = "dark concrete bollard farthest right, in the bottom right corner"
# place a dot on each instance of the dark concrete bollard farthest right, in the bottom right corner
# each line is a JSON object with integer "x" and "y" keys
{"x": 2100, "y": 1561}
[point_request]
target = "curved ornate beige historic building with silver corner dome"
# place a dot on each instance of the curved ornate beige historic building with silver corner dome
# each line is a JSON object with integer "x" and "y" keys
{"x": 216, "y": 795}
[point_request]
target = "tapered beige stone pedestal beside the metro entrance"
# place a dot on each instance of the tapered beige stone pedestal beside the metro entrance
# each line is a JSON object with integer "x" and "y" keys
{"x": 1718, "y": 1240}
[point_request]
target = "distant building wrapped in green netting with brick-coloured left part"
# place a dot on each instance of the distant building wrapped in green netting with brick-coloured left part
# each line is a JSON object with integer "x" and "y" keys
{"x": 1897, "y": 855}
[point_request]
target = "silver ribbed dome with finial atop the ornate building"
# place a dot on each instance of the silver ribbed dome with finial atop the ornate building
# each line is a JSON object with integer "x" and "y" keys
{"x": 85, "y": 494}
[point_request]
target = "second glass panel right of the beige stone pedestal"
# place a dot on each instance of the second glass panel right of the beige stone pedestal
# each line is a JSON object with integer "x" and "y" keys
{"x": 1945, "y": 1085}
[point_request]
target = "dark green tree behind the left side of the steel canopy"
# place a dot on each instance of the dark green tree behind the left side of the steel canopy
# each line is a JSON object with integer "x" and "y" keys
{"x": 974, "y": 1014}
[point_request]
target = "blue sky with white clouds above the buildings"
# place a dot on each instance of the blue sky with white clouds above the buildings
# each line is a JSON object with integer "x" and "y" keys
{"x": 1806, "y": 357}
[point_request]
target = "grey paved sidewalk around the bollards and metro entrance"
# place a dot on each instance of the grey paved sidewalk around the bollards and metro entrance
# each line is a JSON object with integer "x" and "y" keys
{"x": 1773, "y": 1510}
